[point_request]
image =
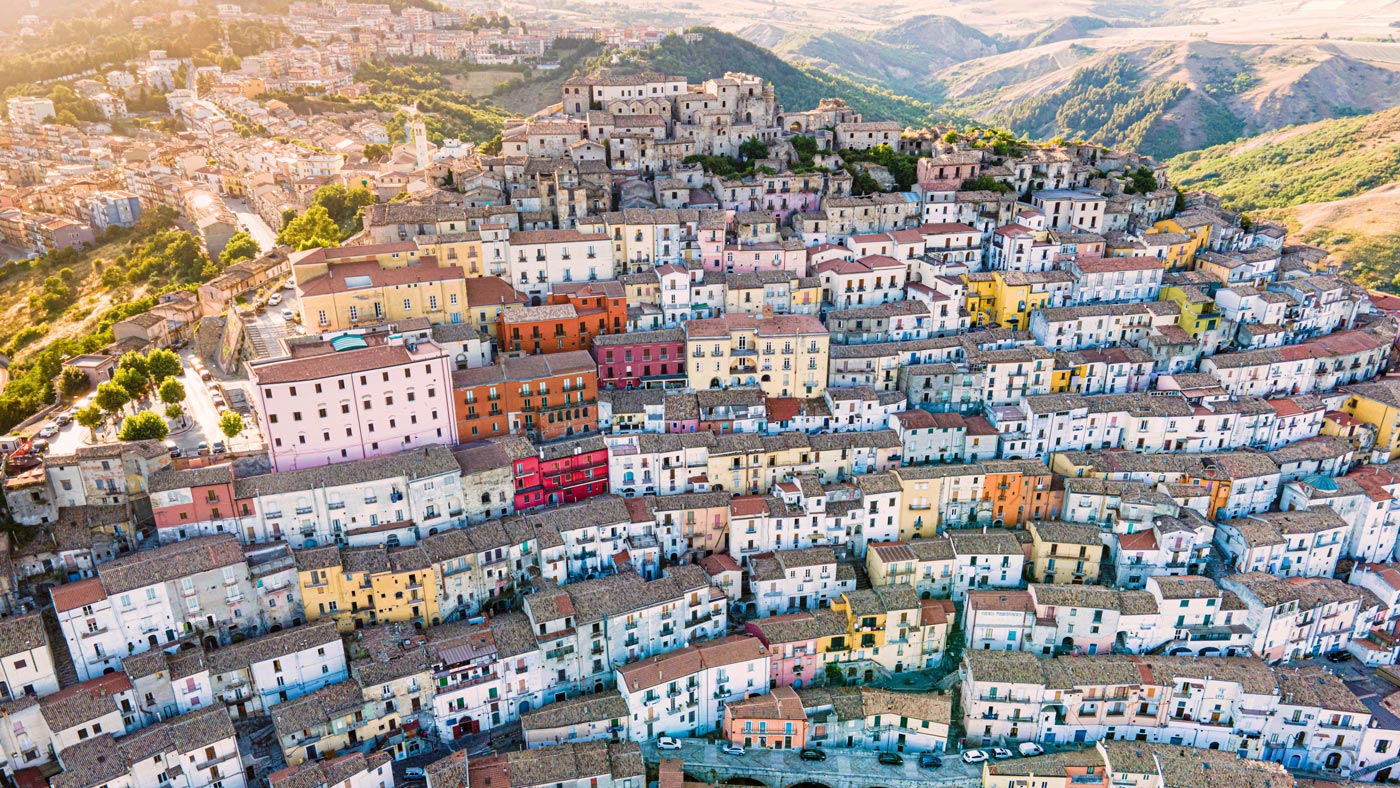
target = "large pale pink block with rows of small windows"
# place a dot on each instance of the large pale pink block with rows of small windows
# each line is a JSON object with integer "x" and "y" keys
{"x": 353, "y": 397}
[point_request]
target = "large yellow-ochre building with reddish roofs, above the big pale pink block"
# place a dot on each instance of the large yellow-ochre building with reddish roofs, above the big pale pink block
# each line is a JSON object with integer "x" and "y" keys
{"x": 360, "y": 286}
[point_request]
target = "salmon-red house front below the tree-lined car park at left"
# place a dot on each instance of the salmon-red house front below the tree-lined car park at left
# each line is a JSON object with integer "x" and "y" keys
{"x": 192, "y": 503}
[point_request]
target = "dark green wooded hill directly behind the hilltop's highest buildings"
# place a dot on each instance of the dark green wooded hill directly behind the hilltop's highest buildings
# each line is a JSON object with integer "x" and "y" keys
{"x": 797, "y": 87}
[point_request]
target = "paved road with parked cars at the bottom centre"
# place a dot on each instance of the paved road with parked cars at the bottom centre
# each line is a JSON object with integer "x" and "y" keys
{"x": 786, "y": 768}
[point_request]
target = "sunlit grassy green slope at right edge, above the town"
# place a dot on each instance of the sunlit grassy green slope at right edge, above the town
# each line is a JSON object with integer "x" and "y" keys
{"x": 1325, "y": 162}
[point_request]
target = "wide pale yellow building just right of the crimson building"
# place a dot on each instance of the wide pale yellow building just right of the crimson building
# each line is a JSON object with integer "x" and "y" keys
{"x": 785, "y": 355}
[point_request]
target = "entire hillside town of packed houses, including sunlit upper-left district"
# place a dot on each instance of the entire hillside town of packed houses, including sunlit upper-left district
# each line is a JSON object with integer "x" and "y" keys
{"x": 685, "y": 437}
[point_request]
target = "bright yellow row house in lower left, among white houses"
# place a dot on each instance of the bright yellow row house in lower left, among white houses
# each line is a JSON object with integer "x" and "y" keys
{"x": 362, "y": 587}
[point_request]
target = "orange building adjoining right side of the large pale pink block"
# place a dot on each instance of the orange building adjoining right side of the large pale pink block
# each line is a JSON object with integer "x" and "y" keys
{"x": 540, "y": 397}
